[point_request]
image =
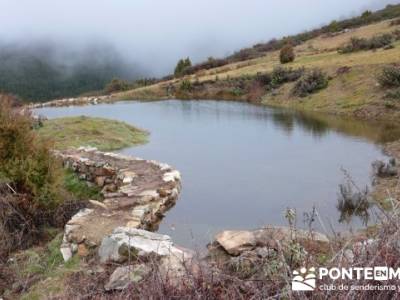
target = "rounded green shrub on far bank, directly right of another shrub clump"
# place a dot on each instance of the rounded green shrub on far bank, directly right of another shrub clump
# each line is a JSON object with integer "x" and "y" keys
{"x": 310, "y": 82}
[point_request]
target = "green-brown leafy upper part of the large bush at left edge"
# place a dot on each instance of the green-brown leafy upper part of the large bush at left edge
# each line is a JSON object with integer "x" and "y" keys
{"x": 25, "y": 160}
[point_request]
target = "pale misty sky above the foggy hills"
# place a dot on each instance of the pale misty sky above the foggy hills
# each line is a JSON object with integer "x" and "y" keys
{"x": 154, "y": 34}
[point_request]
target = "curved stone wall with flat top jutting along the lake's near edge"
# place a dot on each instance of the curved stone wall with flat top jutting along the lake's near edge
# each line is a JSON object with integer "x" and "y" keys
{"x": 137, "y": 193}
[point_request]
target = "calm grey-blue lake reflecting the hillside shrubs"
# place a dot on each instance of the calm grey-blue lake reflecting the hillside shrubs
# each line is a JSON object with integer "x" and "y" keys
{"x": 242, "y": 165}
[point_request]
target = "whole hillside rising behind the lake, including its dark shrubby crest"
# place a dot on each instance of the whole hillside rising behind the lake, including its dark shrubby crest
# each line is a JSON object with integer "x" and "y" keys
{"x": 353, "y": 87}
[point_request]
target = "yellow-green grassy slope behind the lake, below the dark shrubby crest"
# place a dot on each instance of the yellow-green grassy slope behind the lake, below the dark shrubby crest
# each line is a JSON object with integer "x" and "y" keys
{"x": 352, "y": 90}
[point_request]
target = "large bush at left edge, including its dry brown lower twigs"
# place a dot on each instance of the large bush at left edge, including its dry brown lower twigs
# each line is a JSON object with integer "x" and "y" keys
{"x": 31, "y": 190}
